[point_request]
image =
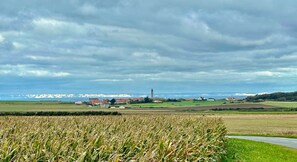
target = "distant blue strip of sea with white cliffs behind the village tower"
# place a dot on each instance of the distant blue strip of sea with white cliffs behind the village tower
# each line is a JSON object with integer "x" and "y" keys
{"x": 85, "y": 97}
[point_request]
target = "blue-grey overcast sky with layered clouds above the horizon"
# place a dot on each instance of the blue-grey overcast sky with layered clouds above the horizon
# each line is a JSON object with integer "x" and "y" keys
{"x": 116, "y": 46}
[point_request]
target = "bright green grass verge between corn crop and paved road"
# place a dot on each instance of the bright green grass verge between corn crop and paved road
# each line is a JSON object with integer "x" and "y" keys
{"x": 251, "y": 151}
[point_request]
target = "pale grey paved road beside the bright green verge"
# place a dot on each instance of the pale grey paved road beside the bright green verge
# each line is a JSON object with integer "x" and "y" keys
{"x": 288, "y": 142}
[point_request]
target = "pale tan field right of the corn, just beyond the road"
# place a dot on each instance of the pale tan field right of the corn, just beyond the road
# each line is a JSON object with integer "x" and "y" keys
{"x": 261, "y": 124}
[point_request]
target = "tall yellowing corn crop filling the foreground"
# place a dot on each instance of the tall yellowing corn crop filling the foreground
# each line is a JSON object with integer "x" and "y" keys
{"x": 112, "y": 138}
